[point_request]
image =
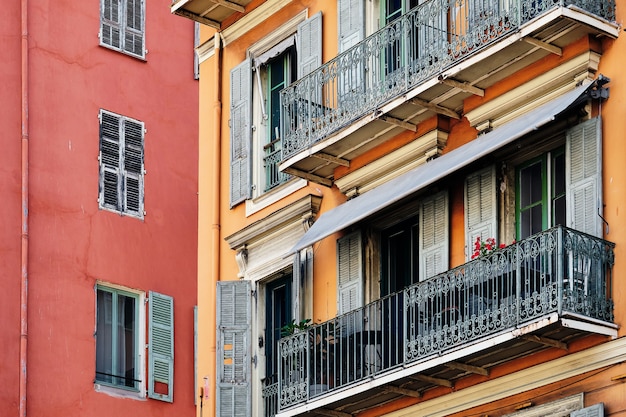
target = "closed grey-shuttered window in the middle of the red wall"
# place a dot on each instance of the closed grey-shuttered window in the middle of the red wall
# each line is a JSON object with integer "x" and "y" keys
{"x": 121, "y": 164}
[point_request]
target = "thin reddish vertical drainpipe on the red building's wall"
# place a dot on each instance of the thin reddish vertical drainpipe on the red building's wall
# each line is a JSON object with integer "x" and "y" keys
{"x": 24, "y": 211}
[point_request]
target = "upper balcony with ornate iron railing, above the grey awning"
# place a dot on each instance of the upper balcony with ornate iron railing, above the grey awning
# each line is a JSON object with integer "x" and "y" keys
{"x": 425, "y": 63}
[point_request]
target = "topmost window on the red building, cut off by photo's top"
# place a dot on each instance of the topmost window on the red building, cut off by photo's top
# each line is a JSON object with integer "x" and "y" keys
{"x": 122, "y": 26}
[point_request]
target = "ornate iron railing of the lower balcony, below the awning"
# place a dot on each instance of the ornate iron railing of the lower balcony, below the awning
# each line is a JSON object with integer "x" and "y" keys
{"x": 560, "y": 271}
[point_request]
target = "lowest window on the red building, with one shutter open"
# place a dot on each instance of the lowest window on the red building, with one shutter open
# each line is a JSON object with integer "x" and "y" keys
{"x": 120, "y": 320}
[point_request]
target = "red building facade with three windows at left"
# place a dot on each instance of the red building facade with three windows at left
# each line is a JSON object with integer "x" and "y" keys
{"x": 99, "y": 214}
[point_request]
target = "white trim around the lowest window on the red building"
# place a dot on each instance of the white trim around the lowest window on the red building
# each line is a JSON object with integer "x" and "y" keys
{"x": 111, "y": 390}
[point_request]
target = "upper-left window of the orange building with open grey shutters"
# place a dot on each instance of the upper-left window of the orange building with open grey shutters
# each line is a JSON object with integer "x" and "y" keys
{"x": 255, "y": 86}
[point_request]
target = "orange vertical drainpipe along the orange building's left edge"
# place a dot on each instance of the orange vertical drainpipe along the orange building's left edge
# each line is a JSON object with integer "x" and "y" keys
{"x": 216, "y": 168}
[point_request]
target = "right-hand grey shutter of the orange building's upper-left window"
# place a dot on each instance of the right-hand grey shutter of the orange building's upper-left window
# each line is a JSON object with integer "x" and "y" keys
{"x": 309, "y": 44}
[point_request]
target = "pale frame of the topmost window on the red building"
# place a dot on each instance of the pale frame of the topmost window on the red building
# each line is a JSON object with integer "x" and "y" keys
{"x": 122, "y": 28}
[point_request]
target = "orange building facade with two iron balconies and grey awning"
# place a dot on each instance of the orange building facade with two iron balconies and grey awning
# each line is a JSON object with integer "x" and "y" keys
{"x": 410, "y": 208}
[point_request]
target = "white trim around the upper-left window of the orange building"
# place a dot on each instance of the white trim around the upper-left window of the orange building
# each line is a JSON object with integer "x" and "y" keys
{"x": 260, "y": 198}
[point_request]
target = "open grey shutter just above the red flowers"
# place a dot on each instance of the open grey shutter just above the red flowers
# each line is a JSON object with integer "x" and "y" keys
{"x": 480, "y": 208}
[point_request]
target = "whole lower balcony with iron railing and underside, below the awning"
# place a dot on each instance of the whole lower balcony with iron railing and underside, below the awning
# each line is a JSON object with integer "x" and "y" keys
{"x": 542, "y": 292}
